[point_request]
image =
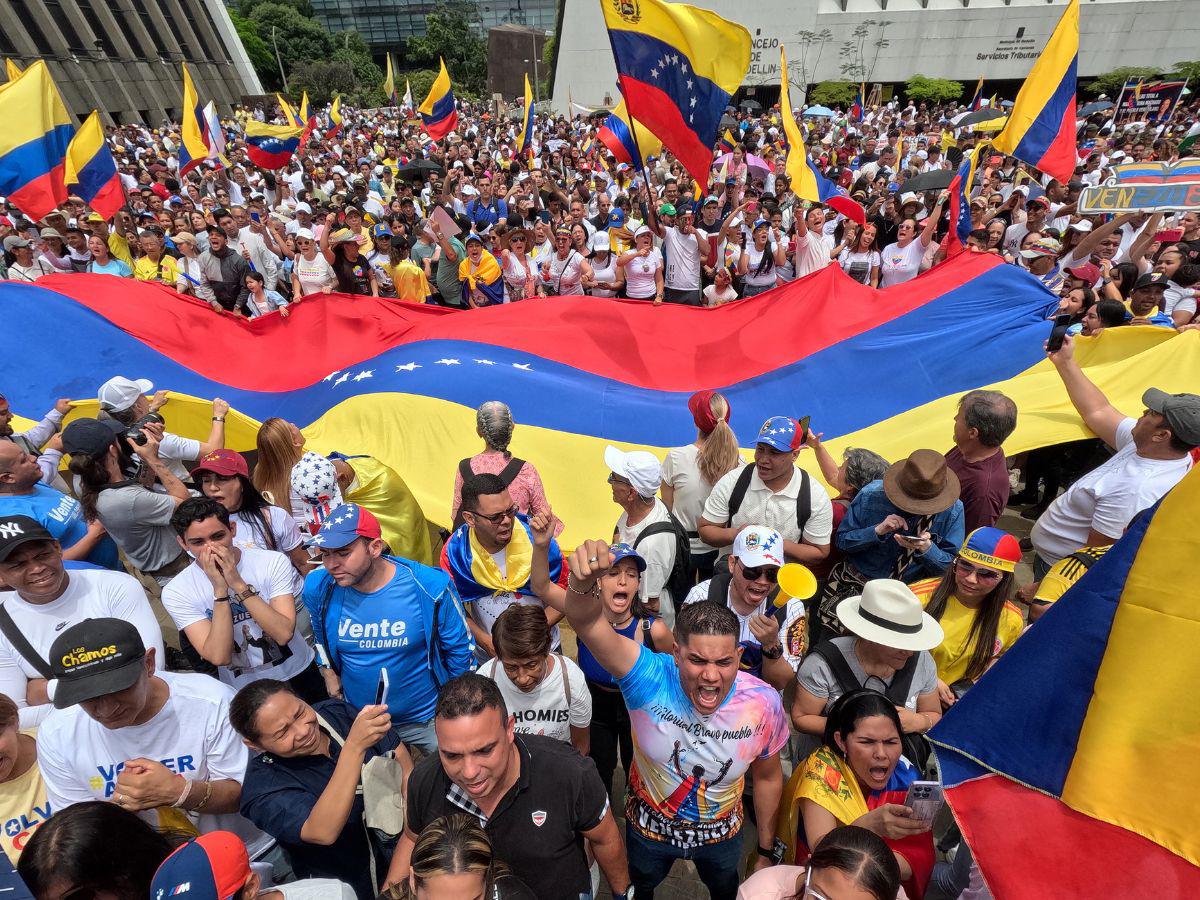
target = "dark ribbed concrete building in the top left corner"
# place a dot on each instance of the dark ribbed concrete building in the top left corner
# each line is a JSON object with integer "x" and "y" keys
{"x": 123, "y": 57}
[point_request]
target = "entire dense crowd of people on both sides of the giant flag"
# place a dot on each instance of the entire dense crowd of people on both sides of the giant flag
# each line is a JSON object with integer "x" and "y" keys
{"x": 271, "y": 677}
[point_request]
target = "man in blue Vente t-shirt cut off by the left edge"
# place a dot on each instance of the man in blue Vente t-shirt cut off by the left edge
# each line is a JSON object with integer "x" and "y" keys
{"x": 23, "y": 494}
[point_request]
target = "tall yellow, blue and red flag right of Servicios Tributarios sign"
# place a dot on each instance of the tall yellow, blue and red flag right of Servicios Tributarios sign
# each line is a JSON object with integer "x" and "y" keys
{"x": 1041, "y": 127}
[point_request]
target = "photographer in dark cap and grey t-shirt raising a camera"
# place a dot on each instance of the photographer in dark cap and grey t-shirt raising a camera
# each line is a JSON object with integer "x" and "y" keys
{"x": 136, "y": 518}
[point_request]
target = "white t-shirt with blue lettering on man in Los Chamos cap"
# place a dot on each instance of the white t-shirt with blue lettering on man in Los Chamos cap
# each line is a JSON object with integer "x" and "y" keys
{"x": 191, "y": 736}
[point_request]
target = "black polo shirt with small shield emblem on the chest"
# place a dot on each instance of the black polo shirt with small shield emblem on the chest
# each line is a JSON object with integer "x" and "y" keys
{"x": 537, "y": 829}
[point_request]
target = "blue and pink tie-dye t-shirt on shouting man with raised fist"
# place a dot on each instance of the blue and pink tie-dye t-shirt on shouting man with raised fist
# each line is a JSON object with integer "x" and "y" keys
{"x": 686, "y": 784}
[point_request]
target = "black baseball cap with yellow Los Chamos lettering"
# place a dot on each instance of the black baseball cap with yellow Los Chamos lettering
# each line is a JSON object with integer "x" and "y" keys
{"x": 95, "y": 658}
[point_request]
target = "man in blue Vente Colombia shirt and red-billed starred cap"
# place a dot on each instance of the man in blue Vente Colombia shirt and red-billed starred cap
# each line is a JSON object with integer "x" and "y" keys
{"x": 373, "y": 611}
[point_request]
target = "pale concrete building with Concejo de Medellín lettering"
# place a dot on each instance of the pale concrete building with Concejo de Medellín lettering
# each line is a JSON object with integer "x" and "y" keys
{"x": 962, "y": 40}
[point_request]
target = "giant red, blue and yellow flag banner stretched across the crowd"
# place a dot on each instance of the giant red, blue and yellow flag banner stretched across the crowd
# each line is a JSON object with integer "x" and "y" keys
{"x": 875, "y": 369}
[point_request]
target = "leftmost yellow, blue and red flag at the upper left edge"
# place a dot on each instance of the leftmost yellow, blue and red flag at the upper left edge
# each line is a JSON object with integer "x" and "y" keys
{"x": 34, "y": 142}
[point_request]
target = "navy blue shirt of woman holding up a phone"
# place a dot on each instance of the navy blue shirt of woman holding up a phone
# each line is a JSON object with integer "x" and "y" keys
{"x": 279, "y": 795}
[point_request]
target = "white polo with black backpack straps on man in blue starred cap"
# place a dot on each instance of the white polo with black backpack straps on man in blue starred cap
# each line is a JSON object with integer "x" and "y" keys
{"x": 764, "y": 507}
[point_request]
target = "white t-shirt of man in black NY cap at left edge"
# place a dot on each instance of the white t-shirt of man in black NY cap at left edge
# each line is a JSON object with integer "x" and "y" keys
{"x": 91, "y": 595}
